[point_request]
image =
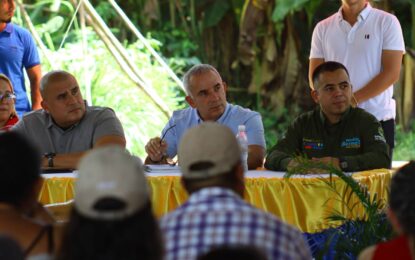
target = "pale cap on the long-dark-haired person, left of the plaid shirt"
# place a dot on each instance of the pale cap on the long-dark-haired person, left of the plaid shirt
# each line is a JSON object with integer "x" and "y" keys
{"x": 110, "y": 173}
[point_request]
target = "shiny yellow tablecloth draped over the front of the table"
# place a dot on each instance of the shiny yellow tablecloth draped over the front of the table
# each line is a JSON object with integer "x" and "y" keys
{"x": 302, "y": 202}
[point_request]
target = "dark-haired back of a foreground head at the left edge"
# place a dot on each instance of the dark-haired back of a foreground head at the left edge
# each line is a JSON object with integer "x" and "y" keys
{"x": 19, "y": 168}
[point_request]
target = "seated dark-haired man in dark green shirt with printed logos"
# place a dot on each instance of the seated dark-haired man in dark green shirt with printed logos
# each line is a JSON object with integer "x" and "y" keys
{"x": 335, "y": 133}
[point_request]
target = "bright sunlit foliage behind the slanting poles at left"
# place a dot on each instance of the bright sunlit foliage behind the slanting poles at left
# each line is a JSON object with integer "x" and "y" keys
{"x": 102, "y": 81}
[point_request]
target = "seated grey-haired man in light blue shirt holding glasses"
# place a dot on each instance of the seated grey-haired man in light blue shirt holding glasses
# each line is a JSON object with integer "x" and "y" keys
{"x": 206, "y": 95}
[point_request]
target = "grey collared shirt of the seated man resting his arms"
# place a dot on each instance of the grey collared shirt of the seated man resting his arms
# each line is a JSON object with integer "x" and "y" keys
{"x": 97, "y": 122}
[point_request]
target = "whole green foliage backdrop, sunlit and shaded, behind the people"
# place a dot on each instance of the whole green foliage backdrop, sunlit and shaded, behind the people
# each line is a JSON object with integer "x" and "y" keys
{"x": 188, "y": 32}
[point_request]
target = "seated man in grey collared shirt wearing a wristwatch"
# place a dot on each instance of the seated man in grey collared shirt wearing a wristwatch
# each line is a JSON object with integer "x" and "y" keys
{"x": 66, "y": 127}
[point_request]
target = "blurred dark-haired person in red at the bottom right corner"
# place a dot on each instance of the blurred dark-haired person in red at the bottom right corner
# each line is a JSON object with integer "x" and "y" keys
{"x": 401, "y": 214}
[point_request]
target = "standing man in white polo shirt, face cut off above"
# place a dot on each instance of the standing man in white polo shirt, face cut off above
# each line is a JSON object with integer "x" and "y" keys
{"x": 369, "y": 42}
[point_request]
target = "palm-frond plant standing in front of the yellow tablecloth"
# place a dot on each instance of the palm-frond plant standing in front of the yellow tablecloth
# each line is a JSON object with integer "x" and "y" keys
{"x": 356, "y": 232}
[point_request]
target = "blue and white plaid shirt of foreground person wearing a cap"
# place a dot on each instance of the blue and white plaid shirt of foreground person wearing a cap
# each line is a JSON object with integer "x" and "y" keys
{"x": 217, "y": 216}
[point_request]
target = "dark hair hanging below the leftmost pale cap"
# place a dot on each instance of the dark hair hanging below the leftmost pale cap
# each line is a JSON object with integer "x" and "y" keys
{"x": 135, "y": 237}
